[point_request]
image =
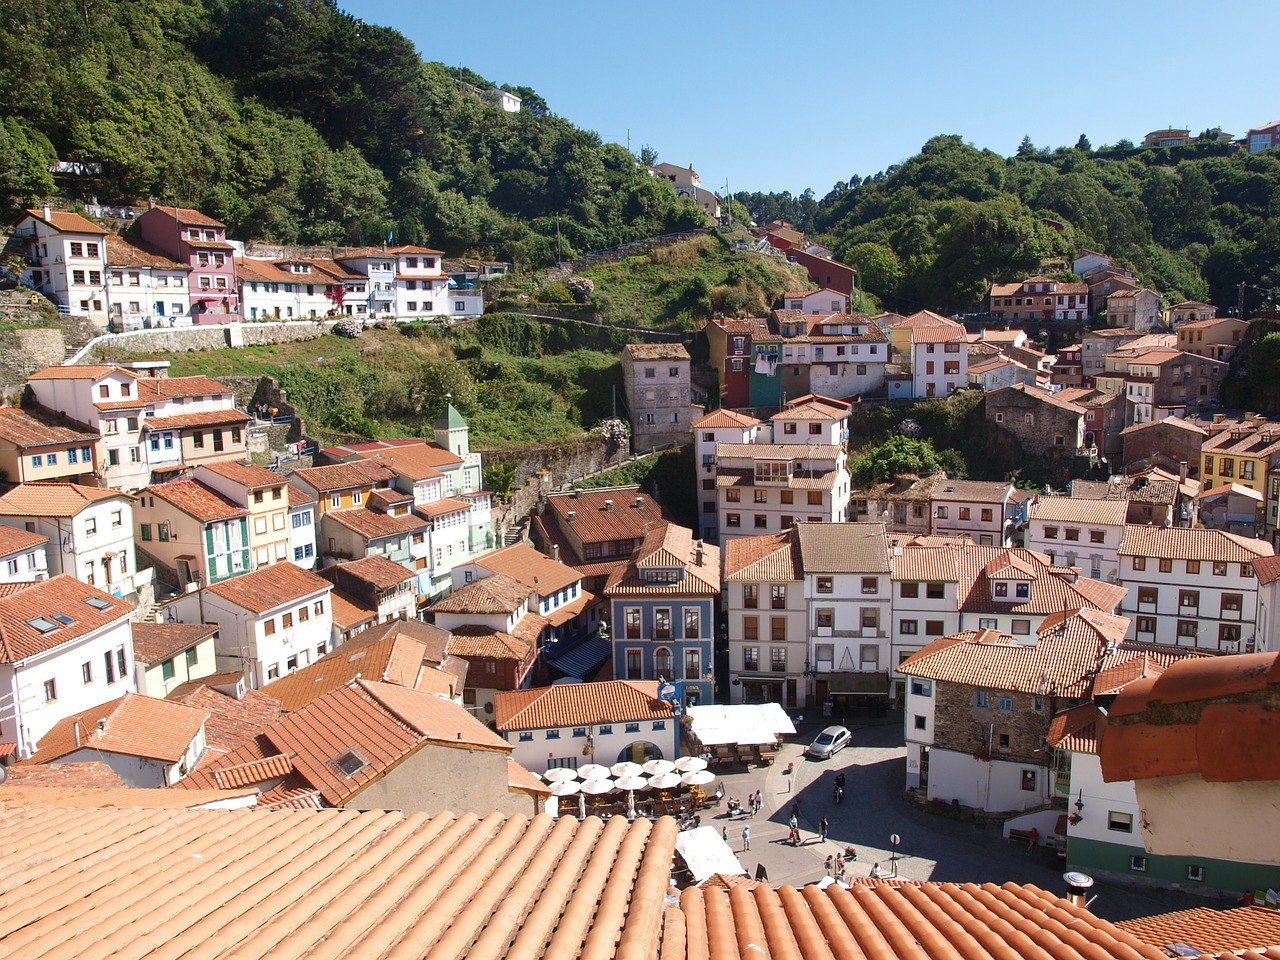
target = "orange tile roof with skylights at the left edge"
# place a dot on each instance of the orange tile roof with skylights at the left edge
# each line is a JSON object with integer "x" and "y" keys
{"x": 62, "y": 597}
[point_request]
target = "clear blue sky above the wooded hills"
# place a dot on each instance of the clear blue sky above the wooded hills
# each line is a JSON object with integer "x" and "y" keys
{"x": 780, "y": 97}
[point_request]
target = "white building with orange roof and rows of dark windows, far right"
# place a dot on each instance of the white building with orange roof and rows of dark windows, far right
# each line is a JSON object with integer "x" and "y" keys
{"x": 1191, "y": 587}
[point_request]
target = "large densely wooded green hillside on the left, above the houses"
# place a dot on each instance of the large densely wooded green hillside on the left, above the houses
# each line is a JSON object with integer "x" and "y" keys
{"x": 294, "y": 122}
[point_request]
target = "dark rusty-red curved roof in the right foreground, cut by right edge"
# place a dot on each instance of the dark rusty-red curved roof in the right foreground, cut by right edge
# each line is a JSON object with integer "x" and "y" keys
{"x": 1212, "y": 717}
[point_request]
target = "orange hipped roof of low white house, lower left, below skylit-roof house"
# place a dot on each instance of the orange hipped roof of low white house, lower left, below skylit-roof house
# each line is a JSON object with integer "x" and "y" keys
{"x": 134, "y": 726}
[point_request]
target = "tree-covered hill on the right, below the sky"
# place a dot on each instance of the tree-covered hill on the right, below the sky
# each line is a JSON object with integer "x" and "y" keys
{"x": 934, "y": 232}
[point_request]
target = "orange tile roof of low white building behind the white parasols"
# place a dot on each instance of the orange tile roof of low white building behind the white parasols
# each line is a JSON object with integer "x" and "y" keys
{"x": 580, "y": 705}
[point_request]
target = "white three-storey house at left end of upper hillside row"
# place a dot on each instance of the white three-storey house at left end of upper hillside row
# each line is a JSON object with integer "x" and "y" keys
{"x": 67, "y": 262}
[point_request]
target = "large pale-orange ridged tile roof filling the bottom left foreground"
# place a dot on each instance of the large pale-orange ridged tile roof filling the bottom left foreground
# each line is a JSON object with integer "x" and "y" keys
{"x": 460, "y": 886}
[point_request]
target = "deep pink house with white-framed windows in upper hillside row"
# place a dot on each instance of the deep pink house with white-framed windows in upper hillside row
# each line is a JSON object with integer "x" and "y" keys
{"x": 199, "y": 241}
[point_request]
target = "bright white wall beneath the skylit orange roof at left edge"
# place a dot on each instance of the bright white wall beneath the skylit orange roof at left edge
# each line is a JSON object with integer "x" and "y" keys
{"x": 81, "y": 674}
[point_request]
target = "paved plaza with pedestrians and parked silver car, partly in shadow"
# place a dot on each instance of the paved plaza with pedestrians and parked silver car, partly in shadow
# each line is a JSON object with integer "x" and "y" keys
{"x": 932, "y": 848}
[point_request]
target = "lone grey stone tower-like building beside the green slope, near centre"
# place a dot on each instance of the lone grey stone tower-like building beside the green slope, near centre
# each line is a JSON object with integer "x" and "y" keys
{"x": 659, "y": 387}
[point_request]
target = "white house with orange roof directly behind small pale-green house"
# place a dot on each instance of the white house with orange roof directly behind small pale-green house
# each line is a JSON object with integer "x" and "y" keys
{"x": 271, "y": 623}
